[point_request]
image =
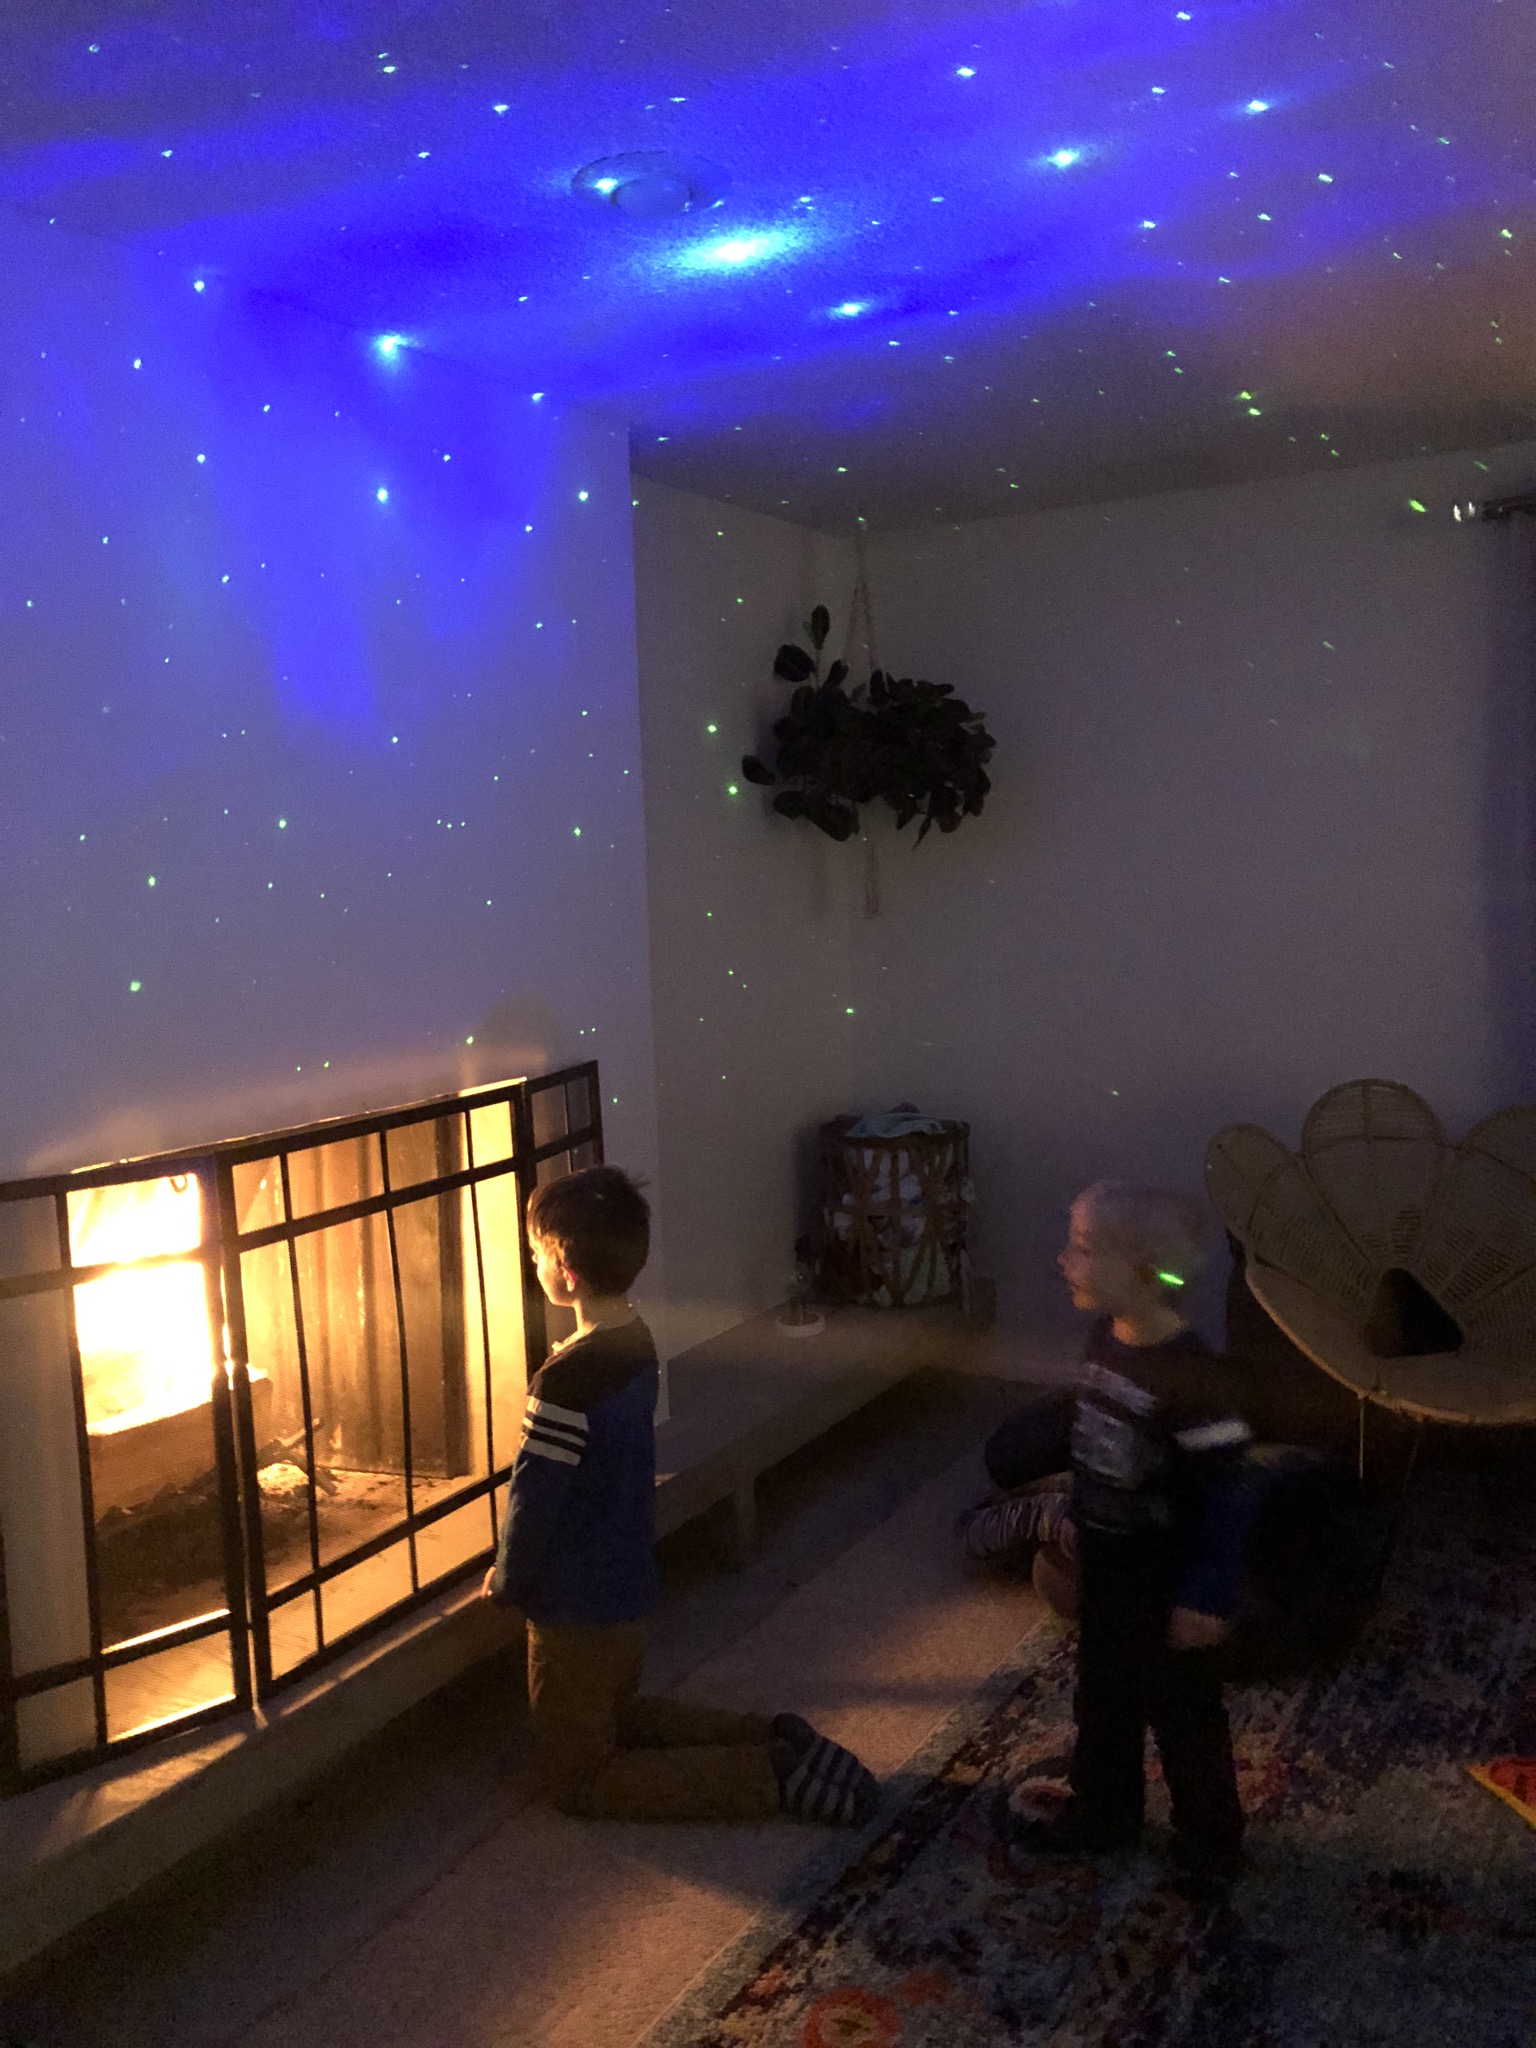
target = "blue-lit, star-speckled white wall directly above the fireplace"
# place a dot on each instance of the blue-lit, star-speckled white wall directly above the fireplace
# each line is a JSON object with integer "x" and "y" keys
{"x": 380, "y": 755}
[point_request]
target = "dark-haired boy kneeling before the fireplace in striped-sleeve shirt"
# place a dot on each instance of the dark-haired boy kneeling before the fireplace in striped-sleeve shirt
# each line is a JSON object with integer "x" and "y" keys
{"x": 579, "y": 1558}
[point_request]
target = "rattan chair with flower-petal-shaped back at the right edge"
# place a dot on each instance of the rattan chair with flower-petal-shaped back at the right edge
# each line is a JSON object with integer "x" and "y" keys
{"x": 1396, "y": 1261}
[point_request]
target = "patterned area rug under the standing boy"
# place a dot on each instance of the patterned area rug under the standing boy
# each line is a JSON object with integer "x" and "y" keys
{"x": 1388, "y": 1900}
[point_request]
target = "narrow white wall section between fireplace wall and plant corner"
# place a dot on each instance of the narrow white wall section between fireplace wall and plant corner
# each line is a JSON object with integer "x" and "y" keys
{"x": 749, "y": 912}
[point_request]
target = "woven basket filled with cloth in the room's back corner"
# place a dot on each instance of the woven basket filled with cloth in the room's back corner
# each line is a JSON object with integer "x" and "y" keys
{"x": 894, "y": 1215}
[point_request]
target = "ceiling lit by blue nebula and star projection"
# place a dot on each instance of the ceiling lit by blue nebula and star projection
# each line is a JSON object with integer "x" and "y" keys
{"x": 970, "y": 259}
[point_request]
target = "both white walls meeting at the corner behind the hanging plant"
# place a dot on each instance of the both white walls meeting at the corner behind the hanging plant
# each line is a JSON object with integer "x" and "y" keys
{"x": 1261, "y": 824}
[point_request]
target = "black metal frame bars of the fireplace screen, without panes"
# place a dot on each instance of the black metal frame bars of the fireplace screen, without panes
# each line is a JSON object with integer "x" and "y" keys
{"x": 245, "y": 1621}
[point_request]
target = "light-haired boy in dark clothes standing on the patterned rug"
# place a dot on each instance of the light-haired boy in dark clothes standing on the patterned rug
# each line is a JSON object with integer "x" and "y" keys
{"x": 1158, "y": 1545}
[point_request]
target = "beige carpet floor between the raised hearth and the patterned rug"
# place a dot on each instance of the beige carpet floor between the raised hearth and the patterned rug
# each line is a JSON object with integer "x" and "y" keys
{"x": 417, "y": 1897}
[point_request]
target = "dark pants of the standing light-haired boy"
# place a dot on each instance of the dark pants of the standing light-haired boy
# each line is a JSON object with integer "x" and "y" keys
{"x": 1129, "y": 1682}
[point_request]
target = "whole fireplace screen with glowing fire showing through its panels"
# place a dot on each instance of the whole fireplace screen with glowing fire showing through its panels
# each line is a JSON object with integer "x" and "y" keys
{"x": 257, "y": 1402}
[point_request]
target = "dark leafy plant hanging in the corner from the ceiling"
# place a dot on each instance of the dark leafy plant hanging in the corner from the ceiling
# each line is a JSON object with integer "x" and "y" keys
{"x": 896, "y": 740}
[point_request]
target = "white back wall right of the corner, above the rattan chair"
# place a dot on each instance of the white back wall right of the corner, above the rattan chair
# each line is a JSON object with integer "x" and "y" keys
{"x": 1261, "y": 824}
